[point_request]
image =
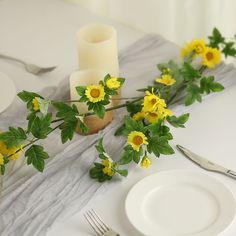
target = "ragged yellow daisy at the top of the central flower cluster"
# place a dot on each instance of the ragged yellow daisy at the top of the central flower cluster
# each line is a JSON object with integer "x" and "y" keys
{"x": 152, "y": 102}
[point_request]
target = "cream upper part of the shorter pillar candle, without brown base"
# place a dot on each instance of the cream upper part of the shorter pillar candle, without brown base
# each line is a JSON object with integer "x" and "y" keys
{"x": 84, "y": 78}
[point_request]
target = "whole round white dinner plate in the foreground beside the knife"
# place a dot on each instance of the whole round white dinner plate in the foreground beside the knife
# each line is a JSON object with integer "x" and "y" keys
{"x": 180, "y": 203}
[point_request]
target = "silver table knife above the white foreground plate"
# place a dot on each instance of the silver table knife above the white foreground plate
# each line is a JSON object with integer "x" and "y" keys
{"x": 205, "y": 164}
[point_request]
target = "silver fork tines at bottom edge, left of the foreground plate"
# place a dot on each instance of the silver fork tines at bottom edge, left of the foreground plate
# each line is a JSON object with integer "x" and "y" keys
{"x": 98, "y": 225}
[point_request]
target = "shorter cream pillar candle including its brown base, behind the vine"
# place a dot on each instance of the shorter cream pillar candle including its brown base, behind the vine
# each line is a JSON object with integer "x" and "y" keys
{"x": 84, "y": 78}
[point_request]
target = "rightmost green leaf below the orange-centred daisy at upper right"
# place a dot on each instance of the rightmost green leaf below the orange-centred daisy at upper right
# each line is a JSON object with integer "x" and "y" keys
{"x": 208, "y": 84}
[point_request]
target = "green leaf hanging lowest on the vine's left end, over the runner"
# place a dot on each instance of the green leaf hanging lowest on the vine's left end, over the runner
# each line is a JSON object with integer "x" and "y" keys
{"x": 36, "y": 156}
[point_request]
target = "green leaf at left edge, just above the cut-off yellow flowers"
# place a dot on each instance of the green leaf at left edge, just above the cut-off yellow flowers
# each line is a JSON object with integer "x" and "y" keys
{"x": 14, "y": 137}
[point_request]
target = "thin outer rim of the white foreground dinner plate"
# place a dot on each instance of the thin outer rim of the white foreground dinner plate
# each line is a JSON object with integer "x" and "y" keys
{"x": 188, "y": 171}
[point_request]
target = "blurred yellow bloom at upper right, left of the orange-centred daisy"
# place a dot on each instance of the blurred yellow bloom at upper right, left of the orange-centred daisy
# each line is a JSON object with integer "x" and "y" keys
{"x": 197, "y": 45}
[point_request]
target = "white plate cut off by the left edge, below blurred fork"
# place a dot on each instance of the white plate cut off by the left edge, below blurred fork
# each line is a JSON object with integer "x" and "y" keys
{"x": 7, "y": 92}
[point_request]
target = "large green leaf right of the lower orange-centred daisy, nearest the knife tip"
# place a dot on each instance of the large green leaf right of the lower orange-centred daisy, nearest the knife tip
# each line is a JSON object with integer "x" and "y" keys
{"x": 159, "y": 145}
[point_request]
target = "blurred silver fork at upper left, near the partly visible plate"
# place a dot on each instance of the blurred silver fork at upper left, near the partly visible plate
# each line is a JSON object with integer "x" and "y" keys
{"x": 31, "y": 68}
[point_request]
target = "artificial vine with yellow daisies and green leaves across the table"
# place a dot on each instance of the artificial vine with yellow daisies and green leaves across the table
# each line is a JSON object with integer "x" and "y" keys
{"x": 146, "y": 124}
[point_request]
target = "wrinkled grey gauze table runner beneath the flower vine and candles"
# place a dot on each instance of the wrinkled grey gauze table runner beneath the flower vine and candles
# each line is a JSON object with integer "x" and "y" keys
{"x": 31, "y": 201}
